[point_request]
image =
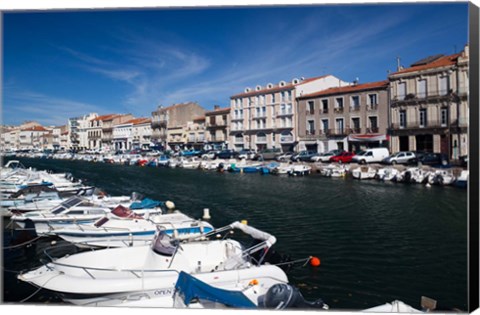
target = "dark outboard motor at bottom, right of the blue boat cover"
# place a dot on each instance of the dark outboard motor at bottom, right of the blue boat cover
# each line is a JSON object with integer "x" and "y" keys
{"x": 284, "y": 296}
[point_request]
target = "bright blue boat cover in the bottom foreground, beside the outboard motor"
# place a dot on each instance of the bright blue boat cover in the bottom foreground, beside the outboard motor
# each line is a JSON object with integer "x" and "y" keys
{"x": 189, "y": 288}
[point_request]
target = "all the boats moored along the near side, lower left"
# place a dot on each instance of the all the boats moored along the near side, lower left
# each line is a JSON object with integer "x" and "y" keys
{"x": 140, "y": 252}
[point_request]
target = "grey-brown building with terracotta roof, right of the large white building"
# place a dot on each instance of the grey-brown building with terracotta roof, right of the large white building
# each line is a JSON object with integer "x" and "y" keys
{"x": 350, "y": 118}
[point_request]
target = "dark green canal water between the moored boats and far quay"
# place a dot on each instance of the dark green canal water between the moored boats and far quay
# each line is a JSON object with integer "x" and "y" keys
{"x": 377, "y": 242}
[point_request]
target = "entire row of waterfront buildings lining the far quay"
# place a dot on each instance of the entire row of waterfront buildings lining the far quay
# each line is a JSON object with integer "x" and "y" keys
{"x": 423, "y": 107}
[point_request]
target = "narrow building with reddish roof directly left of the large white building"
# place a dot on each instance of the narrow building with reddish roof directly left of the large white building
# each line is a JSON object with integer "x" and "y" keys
{"x": 217, "y": 125}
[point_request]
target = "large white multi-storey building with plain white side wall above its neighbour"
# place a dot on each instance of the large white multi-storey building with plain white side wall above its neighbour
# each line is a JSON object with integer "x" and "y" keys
{"x": 264, "y": 117}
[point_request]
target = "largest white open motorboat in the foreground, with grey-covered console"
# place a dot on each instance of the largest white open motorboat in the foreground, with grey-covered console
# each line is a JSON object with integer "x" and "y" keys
{"x": 115, "y": 276}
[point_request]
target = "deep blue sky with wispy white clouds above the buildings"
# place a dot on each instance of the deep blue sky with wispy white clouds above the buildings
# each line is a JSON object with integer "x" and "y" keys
{"x": 63, "y": 64}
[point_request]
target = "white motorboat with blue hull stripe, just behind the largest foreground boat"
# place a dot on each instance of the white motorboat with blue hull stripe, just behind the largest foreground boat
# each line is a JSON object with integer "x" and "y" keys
{"x": 125, "y": 228}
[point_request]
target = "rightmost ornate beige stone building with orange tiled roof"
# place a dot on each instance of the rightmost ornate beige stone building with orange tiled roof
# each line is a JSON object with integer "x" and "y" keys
{"x": 429, "y": 105}
